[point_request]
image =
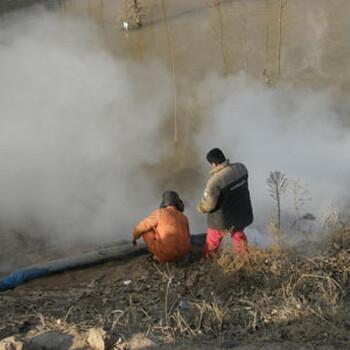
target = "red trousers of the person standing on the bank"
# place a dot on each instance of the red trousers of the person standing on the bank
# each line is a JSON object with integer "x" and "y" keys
{"x": 214, "y": 239}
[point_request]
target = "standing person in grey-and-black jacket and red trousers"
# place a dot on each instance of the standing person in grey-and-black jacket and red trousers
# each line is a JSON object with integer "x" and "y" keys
{"x": 226, "y": 201}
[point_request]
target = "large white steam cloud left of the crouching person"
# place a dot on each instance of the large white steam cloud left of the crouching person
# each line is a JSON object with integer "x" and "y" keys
{"x": 74, "y": 131}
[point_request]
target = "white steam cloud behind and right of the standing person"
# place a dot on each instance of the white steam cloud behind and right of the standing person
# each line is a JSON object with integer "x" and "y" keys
{"x": 295, "y": 131}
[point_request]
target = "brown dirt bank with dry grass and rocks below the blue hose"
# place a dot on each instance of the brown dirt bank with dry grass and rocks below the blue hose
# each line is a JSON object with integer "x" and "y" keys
{"x": 138, "y": 303}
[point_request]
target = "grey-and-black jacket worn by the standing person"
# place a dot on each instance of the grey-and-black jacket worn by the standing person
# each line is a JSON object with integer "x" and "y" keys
{"x": 226, "y": 198}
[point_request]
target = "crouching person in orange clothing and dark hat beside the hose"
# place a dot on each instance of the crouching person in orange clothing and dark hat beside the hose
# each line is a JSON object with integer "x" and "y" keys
{"x": 166, "y": 230}
